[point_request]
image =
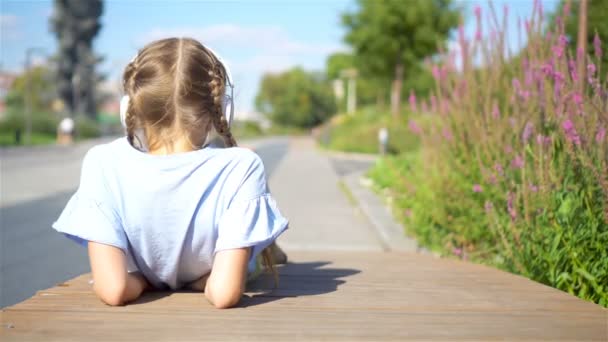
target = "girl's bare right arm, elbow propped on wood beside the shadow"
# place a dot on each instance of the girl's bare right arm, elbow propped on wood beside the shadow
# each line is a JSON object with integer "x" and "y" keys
{"x": 226, "y": 283}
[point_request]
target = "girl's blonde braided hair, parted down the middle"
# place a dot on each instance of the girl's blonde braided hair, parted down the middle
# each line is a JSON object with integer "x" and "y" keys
{"x": 176, "y": 88}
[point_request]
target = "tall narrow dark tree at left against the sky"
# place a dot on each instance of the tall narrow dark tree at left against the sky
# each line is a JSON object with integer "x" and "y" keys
{"x": 76, "y": 23}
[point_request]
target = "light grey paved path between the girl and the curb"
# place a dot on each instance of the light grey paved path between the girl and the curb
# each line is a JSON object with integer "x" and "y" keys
{"x": 308, "y": 192}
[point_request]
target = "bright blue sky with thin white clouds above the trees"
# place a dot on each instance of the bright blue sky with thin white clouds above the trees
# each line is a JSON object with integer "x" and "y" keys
{"x": 253, "y": 36}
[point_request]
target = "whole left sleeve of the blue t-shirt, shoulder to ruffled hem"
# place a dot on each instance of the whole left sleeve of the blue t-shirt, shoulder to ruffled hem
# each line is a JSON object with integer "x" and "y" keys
{"x": 88, "y": 215}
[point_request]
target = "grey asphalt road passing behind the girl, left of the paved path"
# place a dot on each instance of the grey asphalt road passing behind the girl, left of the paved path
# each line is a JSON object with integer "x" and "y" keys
{"x": 36, "y": 183}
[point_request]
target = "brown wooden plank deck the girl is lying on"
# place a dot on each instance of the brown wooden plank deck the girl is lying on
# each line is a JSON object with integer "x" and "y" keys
{"x": 325, "y": 296}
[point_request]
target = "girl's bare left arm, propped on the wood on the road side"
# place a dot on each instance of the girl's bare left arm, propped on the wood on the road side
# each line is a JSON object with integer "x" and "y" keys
{"x": 112, "y": 283}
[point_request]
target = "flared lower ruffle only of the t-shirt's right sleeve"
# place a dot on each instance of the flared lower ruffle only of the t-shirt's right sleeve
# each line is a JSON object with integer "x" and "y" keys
{"x": 252, "y": 223}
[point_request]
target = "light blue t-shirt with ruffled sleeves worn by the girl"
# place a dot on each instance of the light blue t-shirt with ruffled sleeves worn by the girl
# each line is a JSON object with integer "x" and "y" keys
{"x": 170, "y": 214}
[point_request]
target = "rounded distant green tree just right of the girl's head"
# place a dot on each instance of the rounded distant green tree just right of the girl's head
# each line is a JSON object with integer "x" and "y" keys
{"x": 295, "y": 98}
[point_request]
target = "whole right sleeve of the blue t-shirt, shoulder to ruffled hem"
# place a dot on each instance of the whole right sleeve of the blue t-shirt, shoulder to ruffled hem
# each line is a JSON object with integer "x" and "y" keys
{"x": 252, "y": 218}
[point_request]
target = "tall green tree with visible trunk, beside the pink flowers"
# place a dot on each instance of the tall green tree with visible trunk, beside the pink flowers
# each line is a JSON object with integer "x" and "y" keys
{"x": 392, "y": 35}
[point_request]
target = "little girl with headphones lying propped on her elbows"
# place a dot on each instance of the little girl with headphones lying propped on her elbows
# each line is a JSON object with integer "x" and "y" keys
{"x": 162, "y": 207}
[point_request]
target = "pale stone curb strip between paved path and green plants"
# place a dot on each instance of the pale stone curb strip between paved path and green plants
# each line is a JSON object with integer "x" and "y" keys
{"x": 380, "y": 217}
